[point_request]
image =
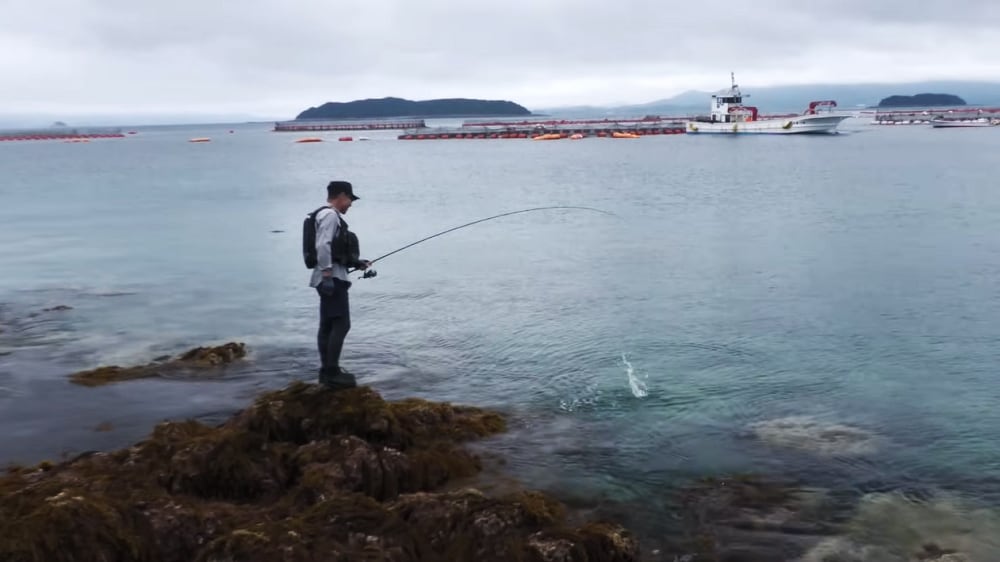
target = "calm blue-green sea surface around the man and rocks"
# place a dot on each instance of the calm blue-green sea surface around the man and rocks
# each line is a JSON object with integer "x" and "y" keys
{"x": 821, "y": 308}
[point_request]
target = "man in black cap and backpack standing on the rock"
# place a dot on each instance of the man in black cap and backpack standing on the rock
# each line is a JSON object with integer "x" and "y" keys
{"x": 336, "y": 249}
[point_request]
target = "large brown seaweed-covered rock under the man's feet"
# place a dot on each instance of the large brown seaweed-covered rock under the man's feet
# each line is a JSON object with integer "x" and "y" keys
{"x": 303, "y": 474}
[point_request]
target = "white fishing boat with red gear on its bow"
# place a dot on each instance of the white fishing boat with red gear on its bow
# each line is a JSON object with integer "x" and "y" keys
{"x": 729, "y": 116}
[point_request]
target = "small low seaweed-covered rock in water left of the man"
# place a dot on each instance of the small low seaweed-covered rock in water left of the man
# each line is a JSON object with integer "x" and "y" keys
{"x": 197, "y": 358}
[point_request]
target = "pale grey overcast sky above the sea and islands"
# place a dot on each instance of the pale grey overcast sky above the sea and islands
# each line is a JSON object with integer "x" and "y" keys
{"x": 274, "y": 58}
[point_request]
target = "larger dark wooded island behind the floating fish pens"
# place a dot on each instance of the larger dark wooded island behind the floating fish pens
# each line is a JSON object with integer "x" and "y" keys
{"x": 397, "y": 107}
